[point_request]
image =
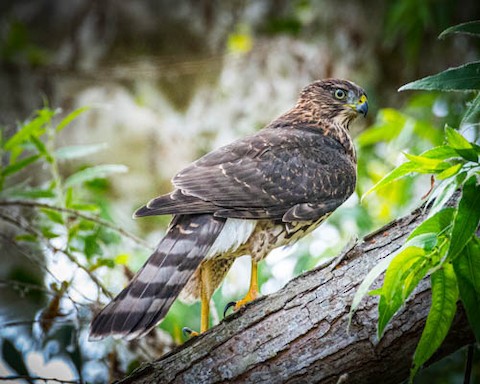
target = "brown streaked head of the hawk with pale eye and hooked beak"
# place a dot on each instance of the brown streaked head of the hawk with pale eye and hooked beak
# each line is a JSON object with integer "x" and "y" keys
{"x": 335, "y": 100}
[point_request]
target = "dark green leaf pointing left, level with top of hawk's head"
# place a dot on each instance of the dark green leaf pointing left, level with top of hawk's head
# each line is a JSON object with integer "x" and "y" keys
{"x": 463, "y": 78}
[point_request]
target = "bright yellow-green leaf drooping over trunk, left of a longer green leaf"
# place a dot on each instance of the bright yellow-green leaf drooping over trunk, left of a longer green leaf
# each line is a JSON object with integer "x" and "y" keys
{"x": 392, "y": 291}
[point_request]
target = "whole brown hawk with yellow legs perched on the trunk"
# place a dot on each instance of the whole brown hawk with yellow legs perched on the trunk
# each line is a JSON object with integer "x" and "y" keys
{"x": 247, "y": 198}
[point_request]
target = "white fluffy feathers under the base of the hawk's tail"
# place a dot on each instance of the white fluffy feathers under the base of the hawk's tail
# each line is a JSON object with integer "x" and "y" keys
{"x": 235, "y": 233}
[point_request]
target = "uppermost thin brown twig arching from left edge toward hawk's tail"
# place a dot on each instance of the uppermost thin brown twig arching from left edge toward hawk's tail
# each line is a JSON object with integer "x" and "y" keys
{"x": 74, "y": 212}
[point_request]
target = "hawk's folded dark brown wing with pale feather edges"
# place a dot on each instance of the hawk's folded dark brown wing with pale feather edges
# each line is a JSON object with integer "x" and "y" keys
{"x": 294, "y": 174}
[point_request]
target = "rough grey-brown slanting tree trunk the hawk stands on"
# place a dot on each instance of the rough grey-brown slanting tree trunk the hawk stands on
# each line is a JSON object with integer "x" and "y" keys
{"x": 299, "y": 334}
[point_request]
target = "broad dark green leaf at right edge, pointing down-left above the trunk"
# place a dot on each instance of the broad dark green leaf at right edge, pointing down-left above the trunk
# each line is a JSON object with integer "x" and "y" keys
{"x": 467, "y": 218}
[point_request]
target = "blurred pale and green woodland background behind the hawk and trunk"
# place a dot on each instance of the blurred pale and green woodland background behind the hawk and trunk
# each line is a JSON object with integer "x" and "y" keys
{"x": 166, "y": 83}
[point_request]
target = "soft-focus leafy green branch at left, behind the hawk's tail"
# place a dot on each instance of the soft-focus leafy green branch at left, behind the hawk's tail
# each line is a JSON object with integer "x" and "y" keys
{"x": 63, "y": 214}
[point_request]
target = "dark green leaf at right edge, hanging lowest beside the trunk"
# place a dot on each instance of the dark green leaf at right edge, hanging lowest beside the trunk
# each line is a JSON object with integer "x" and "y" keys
{"x": 467, "y": 269}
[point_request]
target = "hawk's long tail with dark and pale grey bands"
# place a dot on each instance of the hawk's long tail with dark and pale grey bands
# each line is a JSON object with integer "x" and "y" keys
{"x": 148, "y": 297}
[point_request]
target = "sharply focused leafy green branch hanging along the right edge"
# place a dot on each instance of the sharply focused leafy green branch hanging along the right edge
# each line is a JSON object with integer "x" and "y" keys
{"x": 445, "y": 246}
